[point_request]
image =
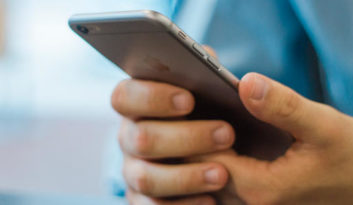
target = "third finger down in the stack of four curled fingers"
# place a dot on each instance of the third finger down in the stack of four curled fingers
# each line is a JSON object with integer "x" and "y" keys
{"x": 159, "y": 180}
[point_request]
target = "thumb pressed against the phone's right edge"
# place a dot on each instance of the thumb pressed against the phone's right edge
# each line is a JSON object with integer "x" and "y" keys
{"x": 282, "y": 107}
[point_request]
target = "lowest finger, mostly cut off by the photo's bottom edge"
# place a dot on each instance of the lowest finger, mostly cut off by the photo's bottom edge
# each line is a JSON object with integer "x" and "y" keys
{"x": 135, "y": 198}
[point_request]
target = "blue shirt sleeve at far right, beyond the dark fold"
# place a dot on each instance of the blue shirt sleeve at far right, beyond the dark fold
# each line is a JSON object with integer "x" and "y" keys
{"x": 329, "y": 25}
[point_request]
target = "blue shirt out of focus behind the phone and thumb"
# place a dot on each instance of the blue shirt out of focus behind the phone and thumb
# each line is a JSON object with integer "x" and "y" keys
{"x": 305, "y": 44}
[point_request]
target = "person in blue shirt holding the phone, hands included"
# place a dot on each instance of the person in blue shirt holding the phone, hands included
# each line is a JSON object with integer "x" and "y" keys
{"x": 306, "y": 49}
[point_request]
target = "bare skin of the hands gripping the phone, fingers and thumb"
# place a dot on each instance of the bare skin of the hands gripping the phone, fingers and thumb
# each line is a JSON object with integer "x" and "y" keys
{"x": 316, "y": 169}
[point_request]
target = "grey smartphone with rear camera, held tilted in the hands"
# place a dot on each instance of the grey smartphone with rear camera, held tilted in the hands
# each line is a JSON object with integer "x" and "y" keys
{"x": 149, "y": 46}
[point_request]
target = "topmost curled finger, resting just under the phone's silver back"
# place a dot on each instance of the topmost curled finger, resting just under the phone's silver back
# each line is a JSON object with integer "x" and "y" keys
{"x": 137, "y": 98}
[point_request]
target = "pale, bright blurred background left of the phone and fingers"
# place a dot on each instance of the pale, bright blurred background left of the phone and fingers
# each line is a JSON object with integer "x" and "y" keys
{"x": 55, "y": 113}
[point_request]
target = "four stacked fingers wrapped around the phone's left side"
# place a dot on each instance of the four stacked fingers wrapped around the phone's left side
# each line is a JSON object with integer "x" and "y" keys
{"x": 152, "y": 130}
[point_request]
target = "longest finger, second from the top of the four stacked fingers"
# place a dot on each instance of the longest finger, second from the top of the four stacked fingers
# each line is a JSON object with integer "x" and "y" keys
{"x": 162, "y": 139}
